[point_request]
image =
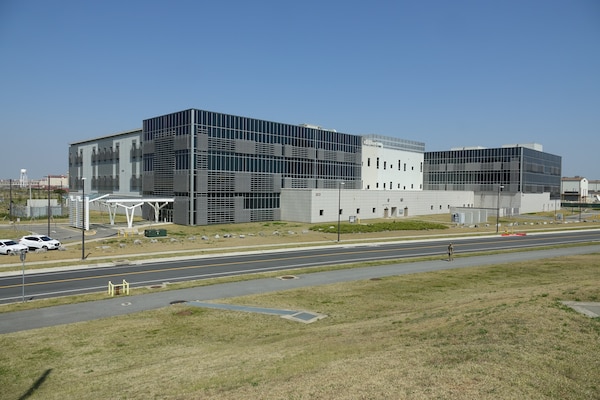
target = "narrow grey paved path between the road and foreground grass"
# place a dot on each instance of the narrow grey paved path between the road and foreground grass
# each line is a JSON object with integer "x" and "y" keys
{"x": 121, "y": 305}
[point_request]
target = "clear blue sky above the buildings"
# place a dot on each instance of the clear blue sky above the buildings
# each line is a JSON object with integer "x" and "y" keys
{"x": 447, "y": 73}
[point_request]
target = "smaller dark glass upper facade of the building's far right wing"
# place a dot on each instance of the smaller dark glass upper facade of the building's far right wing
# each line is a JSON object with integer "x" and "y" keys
{"x": 524, "y": 169}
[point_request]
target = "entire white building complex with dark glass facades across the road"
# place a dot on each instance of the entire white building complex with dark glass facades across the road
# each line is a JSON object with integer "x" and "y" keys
{"x": 213, "y": 168}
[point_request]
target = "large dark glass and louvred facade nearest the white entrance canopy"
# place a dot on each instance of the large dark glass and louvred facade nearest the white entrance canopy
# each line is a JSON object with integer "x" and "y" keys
{"x": 222, "y": 168}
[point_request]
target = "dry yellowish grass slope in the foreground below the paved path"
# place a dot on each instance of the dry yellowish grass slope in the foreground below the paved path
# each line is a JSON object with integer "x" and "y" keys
{"x": 495, "y": 332}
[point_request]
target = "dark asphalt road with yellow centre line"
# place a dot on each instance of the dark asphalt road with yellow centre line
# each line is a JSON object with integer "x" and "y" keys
{"x": 53, "y": 283}
